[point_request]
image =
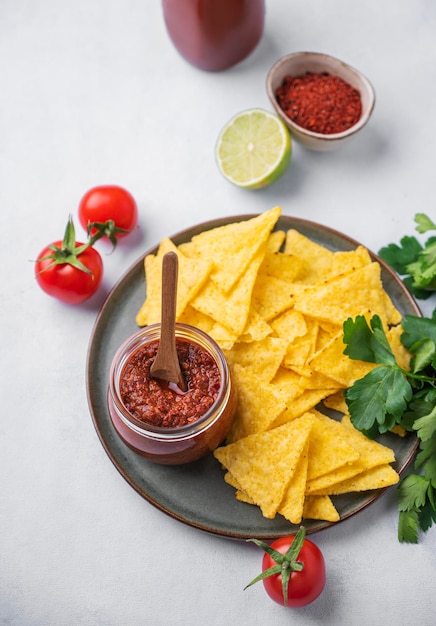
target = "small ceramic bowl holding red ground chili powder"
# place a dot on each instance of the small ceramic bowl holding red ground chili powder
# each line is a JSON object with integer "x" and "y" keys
{"x": 323, "y": 101}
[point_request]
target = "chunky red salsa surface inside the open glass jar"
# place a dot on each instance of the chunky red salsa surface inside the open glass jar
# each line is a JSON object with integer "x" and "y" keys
{"x": 163, "y": 404}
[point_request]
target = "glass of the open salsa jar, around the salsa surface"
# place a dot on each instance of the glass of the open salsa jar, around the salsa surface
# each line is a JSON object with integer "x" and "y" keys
{"x": 176, "y": 445}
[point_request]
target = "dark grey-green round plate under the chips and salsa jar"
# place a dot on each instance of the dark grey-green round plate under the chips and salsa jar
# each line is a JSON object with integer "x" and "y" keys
{"x": 196, "y": 494}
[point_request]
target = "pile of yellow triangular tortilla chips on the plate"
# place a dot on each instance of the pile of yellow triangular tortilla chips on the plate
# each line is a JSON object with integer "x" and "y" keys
{"x": 275, "y": 302}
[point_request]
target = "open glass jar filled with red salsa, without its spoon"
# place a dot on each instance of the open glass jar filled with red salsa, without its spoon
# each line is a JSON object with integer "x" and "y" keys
{"x": 157, "y": 419}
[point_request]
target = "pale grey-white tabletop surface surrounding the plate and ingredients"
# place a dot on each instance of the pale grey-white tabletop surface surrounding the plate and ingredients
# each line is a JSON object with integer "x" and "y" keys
{"x": 93, "y": 92}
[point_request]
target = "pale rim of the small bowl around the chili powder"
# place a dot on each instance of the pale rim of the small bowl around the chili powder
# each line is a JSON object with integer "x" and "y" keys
{"x": 363, "y": 120}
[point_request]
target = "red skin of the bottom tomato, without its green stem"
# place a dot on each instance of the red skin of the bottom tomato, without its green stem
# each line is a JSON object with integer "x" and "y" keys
{"x": 304, "y": 586}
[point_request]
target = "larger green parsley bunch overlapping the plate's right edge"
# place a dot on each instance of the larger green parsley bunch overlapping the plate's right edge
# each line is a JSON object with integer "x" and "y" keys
{"x": 390, "y": 395}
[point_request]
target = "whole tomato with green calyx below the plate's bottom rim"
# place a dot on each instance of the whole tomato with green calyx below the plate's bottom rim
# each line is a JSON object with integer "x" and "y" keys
{"x": 298, "y": 571}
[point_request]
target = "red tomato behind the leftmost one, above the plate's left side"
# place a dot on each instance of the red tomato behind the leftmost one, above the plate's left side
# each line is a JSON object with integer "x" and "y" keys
{"x": 109, "y": 203}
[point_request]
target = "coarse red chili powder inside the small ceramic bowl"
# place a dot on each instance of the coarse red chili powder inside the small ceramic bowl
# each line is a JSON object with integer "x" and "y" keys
{"x": 320, "y": 102}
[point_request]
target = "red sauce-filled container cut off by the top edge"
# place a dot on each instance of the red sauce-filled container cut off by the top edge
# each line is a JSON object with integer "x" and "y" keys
{"x": 214, "y": 34}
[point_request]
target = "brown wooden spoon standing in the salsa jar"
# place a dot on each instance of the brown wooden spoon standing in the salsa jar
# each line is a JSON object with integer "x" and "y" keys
{"x": 166, "y": 365}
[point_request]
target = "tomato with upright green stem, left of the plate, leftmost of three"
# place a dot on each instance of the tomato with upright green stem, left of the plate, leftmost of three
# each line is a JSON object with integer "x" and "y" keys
{"x": 68, "y": 270}
